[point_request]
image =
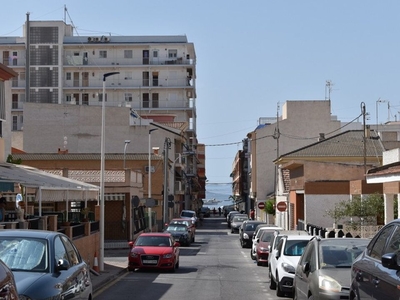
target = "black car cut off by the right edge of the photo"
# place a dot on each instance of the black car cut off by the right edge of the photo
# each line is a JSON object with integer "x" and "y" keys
{"x": 375, "y": 273}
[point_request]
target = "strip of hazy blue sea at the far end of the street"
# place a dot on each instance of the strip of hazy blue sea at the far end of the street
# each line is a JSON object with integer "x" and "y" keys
{"x": 217, "y": 195}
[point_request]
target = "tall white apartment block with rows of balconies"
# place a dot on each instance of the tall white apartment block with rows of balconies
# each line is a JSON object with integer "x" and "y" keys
{"x": 157, "y": 74}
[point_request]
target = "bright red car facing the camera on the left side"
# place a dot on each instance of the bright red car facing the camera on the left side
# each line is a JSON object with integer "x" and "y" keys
{"x": 154, "y": 250}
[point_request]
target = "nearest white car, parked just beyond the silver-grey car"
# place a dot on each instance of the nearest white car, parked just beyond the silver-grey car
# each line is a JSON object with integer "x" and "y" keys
{"x": 283, "y": 262}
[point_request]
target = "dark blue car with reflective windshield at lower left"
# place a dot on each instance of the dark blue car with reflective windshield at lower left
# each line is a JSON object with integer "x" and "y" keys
{"x": 45, "y": 264}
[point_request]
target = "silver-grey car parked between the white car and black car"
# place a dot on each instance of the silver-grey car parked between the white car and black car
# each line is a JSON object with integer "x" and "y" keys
{"x": 324, "y": 269}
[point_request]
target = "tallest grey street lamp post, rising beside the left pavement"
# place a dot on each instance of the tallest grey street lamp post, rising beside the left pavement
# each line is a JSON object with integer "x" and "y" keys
{"x": 103, "y": 114}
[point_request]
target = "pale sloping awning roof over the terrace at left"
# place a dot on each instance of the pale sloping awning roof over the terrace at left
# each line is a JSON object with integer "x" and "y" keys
{"x": 35, "y": 178}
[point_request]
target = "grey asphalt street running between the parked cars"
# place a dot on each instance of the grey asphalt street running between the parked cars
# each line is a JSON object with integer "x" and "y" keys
{"x": 214, "y": 267}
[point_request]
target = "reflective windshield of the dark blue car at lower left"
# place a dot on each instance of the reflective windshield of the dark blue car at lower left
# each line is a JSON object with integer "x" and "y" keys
{"x": 24, "y": 254}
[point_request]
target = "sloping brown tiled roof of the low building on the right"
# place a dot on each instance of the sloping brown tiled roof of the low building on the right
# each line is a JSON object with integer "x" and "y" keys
{"x": 345, "y": 144}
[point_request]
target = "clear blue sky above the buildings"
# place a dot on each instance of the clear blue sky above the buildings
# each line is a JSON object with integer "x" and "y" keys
{"x": 252, "y": 55}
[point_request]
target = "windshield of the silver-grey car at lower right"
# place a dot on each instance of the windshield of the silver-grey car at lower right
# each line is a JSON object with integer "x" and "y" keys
{"x": 340, "y": 256}
